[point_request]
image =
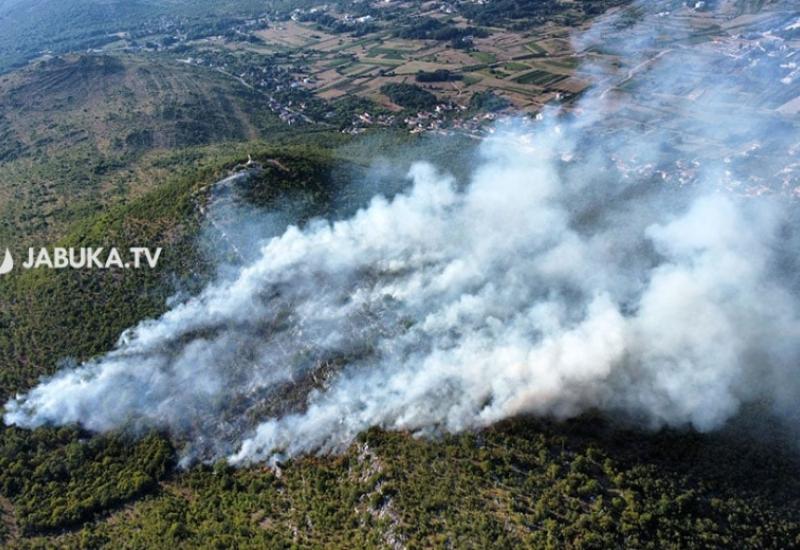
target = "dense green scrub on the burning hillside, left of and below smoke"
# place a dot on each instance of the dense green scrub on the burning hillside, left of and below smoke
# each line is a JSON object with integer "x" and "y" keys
{"x": 583, "y": 484}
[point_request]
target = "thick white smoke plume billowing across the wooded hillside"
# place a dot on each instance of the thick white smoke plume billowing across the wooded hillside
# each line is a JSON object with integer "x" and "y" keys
{"x": 570, "y": 273}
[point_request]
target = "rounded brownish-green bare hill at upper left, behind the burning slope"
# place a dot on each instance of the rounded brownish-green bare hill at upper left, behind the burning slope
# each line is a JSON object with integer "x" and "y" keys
{"x": 81, "y": 132}
